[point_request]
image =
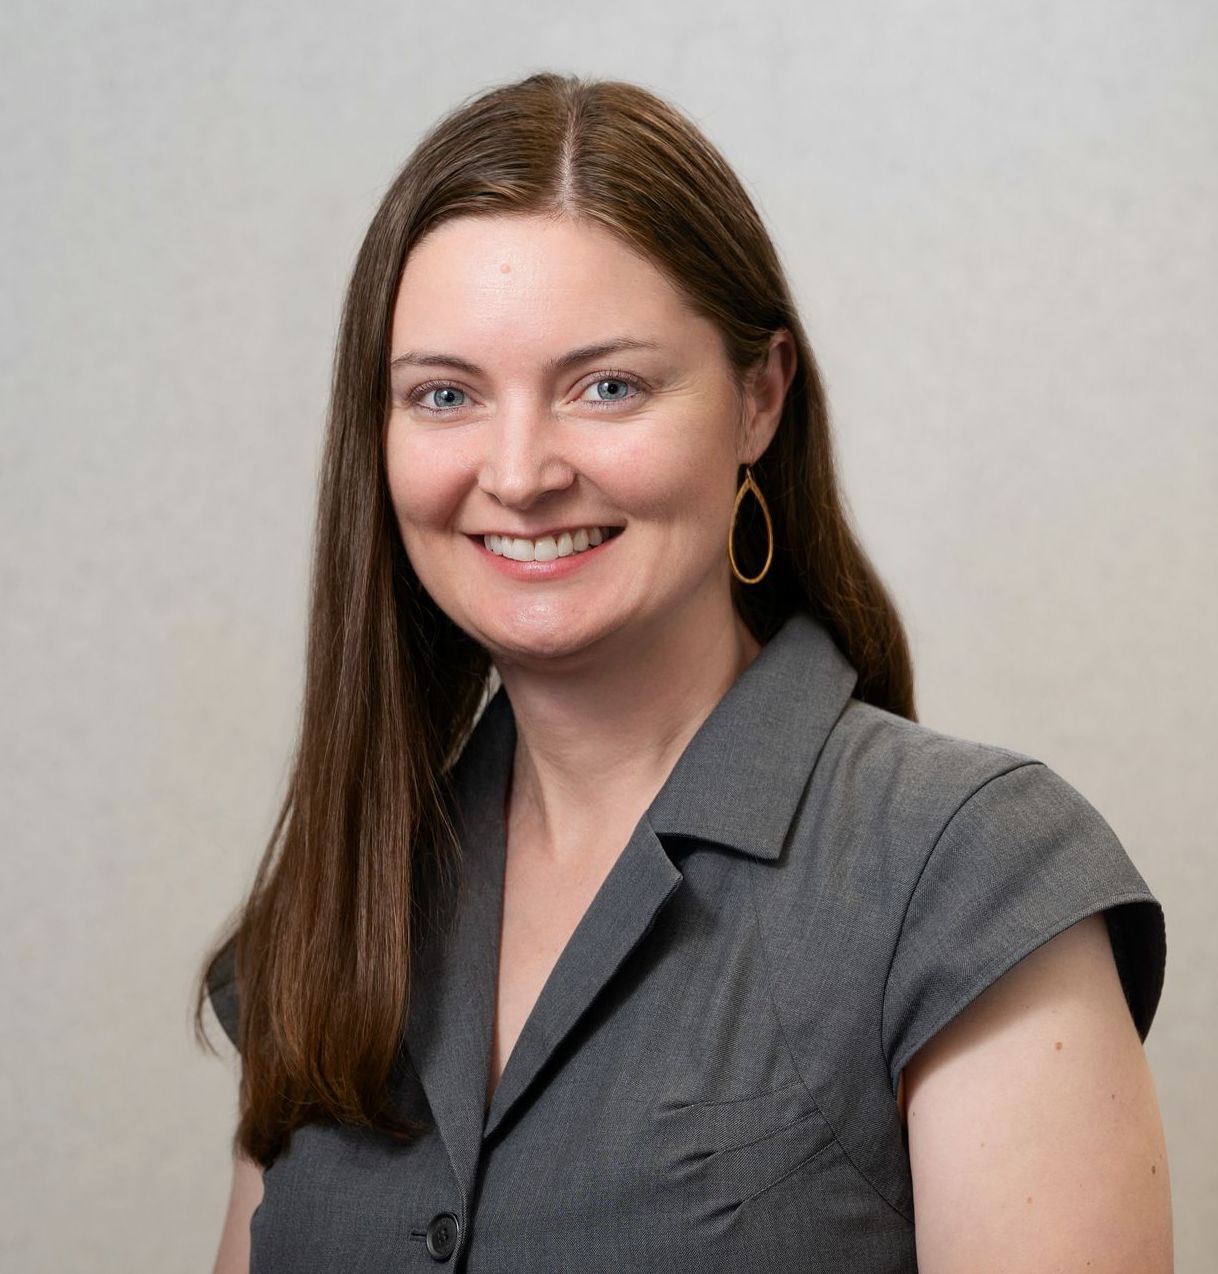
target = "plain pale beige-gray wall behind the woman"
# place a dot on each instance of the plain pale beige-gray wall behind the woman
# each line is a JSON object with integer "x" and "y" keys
{"x": 1001, "y": 220}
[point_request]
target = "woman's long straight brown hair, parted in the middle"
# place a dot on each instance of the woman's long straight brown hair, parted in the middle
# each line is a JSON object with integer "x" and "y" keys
{"x": 323, "y": 946}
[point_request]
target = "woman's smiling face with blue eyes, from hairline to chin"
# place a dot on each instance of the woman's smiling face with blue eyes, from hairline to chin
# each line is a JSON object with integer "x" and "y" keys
{"x": 513, "y": 417}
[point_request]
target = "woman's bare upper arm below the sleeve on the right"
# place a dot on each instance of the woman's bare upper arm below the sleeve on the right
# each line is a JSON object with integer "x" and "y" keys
{"x": 1034, "y": 1128}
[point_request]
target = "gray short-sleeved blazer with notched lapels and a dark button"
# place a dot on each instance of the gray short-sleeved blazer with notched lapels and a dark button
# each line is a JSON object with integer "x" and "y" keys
{"x": 708, "y": 1080}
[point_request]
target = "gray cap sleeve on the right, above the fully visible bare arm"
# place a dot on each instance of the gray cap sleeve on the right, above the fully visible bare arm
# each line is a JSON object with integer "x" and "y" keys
{"x": 1022, "y": 859}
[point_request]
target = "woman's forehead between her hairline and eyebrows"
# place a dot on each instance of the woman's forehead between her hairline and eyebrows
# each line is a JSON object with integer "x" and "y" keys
{"x": 533, "y": 282}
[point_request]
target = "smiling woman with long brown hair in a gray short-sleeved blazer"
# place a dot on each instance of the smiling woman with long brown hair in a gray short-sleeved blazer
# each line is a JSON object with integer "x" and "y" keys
{"x": 690, "y": 950}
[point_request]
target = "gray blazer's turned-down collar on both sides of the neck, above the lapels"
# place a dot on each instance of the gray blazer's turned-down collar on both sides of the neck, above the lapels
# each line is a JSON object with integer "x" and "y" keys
{"x": 742, "y": 775}
